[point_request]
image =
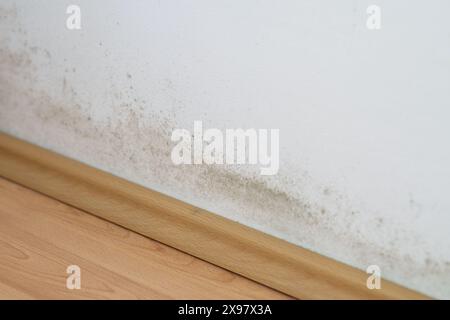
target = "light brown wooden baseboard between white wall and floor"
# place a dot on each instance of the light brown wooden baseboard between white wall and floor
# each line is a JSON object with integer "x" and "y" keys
{"x": 253, "y": 254}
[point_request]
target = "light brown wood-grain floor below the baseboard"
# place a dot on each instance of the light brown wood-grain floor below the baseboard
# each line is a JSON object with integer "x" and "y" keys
{"x": 40, "y": 237}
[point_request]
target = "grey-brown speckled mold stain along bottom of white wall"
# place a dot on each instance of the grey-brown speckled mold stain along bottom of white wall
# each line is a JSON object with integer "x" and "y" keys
{"x": 133, "y": 141}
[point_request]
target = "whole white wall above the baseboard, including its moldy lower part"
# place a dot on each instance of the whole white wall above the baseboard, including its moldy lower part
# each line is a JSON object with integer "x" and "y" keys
{"x": 363, "y": 114}
